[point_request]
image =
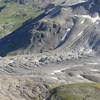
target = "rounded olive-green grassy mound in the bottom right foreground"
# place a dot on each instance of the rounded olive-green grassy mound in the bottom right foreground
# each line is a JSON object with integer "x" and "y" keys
{"x": 80, "y": 91}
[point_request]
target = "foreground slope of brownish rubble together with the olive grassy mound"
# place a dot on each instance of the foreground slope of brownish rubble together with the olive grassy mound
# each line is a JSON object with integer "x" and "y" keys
{"x": 25, "y": 88}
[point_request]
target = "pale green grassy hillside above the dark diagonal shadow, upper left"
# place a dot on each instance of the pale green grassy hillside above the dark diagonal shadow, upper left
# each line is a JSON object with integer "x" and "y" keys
{"x": 14, "y": 15}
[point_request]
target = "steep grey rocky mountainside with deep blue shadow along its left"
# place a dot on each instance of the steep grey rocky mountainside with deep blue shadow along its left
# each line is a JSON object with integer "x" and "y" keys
{"x": 73, "y": 28}
